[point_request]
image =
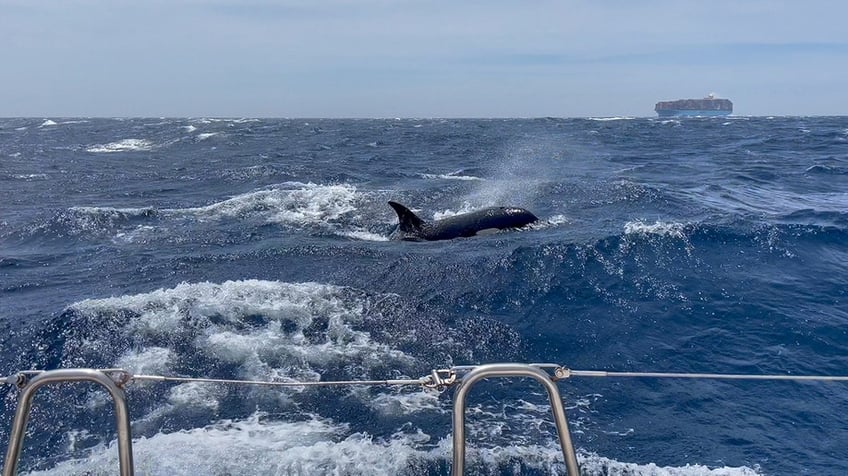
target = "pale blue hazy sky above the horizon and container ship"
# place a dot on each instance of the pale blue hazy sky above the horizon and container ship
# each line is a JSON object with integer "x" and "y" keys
{"x": 405, "y": 58}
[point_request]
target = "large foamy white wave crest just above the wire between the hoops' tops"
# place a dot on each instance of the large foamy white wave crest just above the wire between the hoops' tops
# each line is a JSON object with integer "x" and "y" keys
{"x": 268, "y": 330}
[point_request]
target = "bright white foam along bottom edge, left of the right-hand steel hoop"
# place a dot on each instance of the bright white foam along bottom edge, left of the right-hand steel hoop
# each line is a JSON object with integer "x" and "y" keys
{"x": 260, "y": 446}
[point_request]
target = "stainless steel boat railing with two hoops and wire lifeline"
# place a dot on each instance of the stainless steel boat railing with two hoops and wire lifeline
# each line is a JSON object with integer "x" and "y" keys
{"x": 464, "y": 377}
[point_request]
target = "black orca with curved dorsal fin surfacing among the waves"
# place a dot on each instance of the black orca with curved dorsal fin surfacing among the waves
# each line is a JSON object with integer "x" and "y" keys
{"x": 413, "y": 228}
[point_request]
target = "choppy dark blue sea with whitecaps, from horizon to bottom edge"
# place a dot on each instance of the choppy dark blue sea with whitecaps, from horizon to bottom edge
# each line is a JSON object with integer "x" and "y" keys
{"x": 261, "y": 249}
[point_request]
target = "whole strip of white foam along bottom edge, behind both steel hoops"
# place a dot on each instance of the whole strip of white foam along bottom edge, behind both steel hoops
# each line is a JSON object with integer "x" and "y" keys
{"x": 260, "y": 446}
